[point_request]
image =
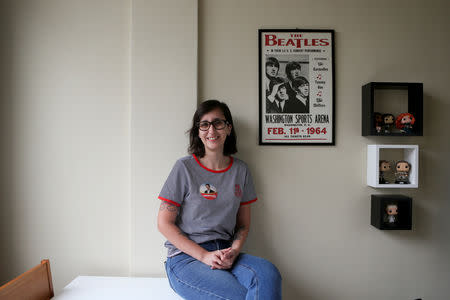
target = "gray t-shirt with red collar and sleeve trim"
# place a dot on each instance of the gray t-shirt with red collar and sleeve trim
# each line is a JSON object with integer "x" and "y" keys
{"x": 209, "y": 200}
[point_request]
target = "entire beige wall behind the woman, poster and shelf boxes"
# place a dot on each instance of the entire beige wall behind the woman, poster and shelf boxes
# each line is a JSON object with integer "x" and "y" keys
{"x": 98, "y": 95}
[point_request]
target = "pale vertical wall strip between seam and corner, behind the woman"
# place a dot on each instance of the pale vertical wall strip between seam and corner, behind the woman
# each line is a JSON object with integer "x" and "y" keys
{"x": 164, "y": 93}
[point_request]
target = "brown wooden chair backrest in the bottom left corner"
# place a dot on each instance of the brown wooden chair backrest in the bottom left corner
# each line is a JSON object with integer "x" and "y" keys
{"x": 34, "y": 284}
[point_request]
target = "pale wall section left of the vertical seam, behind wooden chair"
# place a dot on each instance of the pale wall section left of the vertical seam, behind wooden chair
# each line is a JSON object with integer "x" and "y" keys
{"x": 69, "y": 138}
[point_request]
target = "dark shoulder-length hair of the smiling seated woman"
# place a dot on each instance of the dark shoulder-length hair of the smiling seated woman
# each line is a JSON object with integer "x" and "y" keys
{"x": 195, "y": 143}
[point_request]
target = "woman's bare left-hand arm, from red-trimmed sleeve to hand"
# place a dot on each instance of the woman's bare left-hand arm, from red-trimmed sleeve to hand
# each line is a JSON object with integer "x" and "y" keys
{"x": 166, "y": 225}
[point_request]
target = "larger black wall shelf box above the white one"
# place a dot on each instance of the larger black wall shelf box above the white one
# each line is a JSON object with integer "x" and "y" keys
{"x": 415, "y": 106}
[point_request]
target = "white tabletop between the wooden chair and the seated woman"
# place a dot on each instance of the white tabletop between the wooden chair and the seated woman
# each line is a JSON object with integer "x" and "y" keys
{"x": 112, "y": 288}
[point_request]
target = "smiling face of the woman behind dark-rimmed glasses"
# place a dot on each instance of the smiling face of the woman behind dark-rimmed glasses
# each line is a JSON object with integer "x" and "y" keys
{"x": 214, "y": 139}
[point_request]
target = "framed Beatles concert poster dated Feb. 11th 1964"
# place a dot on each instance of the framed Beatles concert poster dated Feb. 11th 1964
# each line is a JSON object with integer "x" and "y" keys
{"x": 296, "y": 87}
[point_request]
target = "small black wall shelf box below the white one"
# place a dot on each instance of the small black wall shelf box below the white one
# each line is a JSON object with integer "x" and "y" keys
{"x": 378, "y": 215}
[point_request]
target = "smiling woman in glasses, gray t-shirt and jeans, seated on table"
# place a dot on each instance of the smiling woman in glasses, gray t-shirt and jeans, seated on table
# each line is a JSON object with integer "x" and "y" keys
{"x": 205, "y": 234}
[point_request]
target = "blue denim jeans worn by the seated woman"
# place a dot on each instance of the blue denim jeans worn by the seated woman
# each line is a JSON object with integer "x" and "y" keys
{"x": 250, "y": 277}
